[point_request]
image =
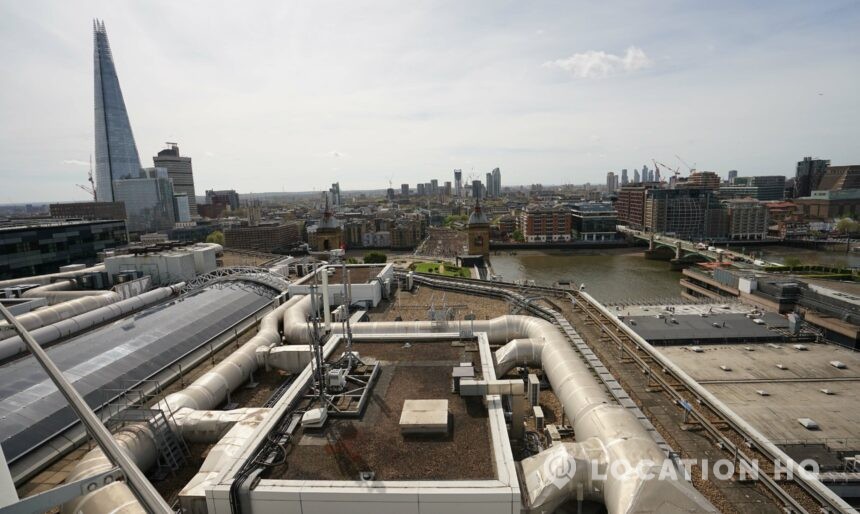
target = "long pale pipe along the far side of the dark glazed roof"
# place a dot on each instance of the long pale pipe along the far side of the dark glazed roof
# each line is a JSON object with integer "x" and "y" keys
{"x": 75, "y": 324}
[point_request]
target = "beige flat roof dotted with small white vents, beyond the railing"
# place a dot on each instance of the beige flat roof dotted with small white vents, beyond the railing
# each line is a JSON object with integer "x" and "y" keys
{"x": 793, "y": 392}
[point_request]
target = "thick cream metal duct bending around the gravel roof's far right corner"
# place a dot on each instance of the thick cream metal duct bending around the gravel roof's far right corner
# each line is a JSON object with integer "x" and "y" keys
{"x": 595, "y": 417}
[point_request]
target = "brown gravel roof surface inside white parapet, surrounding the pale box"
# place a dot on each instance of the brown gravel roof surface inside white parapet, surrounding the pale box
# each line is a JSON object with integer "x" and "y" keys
{"x": 373, "y": 442}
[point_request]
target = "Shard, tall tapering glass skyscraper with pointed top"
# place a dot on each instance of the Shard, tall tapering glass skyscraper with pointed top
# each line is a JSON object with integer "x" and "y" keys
{"x": 116, "y": 153}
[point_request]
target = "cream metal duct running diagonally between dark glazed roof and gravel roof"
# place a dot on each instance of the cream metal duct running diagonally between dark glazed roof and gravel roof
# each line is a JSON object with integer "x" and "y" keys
{"x": 207, "y": 392}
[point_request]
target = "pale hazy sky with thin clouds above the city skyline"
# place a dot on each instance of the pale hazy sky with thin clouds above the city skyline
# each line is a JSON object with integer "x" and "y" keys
{"x": 292, "y": 96}
